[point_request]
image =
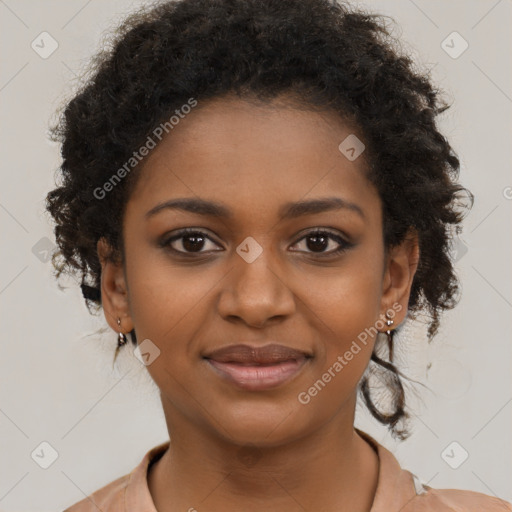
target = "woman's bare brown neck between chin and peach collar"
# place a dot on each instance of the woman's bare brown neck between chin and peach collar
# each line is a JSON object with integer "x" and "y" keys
{"x": 333, "y": 468}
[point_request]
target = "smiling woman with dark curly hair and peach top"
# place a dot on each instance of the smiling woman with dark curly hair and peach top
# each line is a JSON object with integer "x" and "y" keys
{"x": 256, "y": 193}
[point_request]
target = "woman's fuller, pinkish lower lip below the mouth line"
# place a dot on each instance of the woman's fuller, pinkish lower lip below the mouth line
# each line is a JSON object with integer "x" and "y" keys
{"x": 257, "y": 378}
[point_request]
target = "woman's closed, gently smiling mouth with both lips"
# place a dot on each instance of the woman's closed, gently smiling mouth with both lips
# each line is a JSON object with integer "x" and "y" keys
{"x": 257, "y": 368}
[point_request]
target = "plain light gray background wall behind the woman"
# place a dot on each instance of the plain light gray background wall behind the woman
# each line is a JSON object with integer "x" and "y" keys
{"x": 57, "y": 381}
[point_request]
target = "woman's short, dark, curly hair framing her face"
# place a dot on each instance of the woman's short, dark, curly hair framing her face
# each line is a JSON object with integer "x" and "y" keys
{"x": 324, "y": 54}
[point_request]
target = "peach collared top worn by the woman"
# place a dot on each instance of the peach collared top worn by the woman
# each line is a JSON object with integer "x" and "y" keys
{"x": 398, "y": 490}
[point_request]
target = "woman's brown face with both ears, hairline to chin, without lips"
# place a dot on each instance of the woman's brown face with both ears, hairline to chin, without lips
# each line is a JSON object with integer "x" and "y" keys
{"x": 274, "y": 264}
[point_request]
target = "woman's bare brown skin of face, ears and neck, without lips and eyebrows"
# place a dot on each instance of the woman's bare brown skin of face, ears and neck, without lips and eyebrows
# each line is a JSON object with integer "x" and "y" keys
{"x": 249, "y": 450}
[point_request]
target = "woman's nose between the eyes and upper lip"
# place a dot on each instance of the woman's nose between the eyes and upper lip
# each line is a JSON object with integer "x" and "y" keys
{"x": 256, "y": 292}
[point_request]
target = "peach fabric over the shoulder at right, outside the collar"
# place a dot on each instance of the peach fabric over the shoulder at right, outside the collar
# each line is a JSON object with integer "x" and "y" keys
{"x": 456, "y": 500}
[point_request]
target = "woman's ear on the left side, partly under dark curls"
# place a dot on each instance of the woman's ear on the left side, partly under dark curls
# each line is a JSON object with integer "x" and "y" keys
{"x": 114, "y": 291}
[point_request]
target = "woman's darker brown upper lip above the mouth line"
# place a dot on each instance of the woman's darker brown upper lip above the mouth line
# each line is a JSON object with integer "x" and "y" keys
{"x": 242, "y": 353}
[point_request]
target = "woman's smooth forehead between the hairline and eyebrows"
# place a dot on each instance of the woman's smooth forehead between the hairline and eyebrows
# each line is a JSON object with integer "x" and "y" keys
{"x": 253, "y": 158}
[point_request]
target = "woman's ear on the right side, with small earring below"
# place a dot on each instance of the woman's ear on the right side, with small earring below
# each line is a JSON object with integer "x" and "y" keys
{"x": 401, "y": 264}
